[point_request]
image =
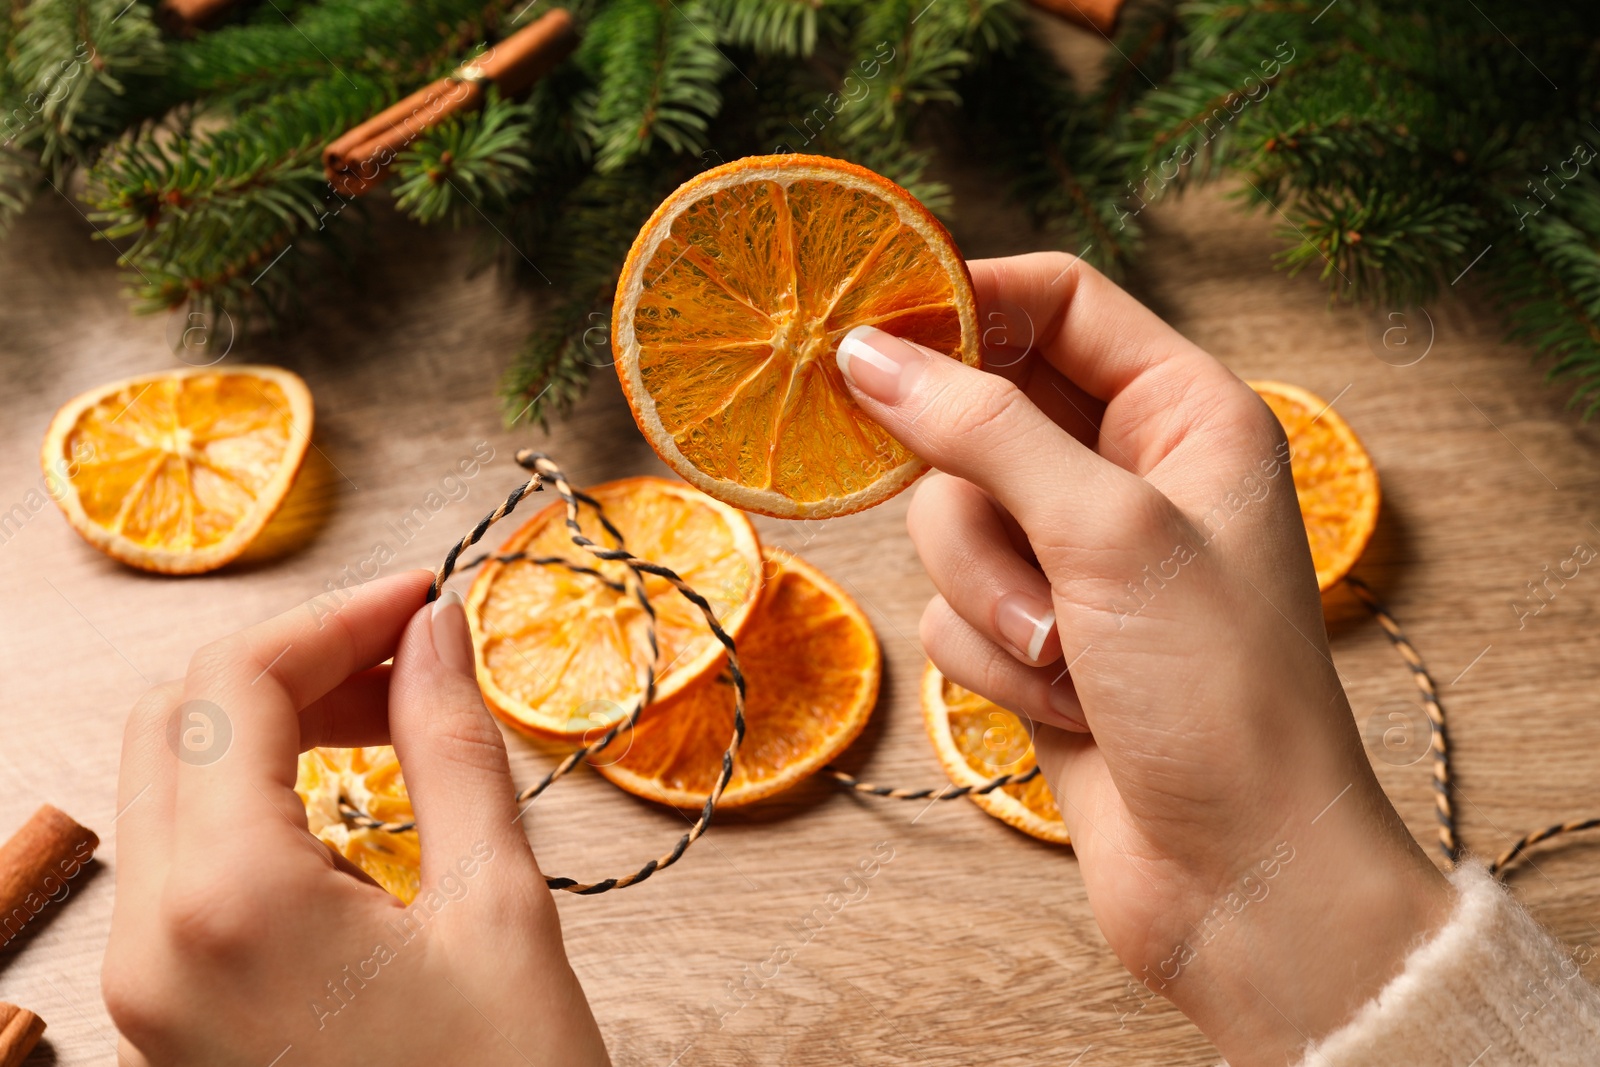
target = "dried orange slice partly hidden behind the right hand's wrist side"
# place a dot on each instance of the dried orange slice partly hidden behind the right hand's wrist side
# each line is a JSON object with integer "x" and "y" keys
{"x": 1334, "y": 479}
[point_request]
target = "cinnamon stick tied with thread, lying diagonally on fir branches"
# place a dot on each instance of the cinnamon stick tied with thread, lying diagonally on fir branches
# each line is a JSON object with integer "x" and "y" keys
{"x": 358, "y": 161}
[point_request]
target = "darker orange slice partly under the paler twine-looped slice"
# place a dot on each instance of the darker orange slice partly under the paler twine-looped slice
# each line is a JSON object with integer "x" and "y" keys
{"x": 812, "y": 669}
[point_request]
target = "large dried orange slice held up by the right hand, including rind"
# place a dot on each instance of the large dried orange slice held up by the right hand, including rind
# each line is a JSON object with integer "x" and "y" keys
{"x": 732, "y": 305}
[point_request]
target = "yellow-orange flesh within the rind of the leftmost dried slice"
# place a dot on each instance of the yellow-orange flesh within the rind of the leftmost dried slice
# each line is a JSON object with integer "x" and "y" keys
{"x": 178, "y": 463}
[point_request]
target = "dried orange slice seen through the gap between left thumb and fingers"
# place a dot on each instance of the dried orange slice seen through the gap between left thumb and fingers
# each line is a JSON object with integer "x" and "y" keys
{"x": 370, "y": 780}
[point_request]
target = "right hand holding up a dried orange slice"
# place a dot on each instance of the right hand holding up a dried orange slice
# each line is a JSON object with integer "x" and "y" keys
{"x": 1121, "y": 557}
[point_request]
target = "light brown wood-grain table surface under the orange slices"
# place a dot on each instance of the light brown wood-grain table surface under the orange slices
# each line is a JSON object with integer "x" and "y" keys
{"x": 974, "y": 943}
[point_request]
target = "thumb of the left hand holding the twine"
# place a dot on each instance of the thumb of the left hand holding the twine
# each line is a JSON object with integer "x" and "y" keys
{"x": 450, "y": 749}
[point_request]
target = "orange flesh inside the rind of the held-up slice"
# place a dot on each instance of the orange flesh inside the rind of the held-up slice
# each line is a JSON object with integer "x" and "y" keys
{"x": 743, "y": 306}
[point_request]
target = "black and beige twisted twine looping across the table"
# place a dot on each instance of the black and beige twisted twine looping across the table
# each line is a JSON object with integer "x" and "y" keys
{"x": 543, "y": 471}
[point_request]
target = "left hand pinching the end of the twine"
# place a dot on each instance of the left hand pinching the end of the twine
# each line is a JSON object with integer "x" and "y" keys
{"x": 239, "y": 938}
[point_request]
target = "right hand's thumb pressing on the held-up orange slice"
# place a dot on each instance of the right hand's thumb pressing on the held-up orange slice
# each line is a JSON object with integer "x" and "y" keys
{"x": 977, "y": 426}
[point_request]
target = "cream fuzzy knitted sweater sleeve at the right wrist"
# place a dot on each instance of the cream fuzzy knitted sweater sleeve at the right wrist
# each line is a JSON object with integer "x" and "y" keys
{"x": 1490, "y": 989}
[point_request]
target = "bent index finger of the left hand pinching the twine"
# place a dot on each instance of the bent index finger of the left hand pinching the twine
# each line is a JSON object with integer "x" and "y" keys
{"x": 250, "y": 687}
